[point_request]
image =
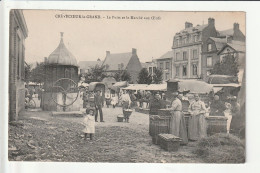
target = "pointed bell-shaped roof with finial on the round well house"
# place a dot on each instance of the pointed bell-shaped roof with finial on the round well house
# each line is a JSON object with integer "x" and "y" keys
{"x": 61, "y": 55}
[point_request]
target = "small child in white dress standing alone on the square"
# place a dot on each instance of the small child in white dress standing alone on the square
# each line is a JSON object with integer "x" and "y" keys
{"x": 89, "y": 123}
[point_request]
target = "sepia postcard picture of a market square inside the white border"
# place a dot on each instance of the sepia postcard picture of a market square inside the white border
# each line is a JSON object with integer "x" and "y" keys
{"x": 127, "y": 86}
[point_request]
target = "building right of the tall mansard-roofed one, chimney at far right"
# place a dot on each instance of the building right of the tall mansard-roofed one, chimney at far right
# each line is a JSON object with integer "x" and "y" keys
{"x": 210, "y": 52}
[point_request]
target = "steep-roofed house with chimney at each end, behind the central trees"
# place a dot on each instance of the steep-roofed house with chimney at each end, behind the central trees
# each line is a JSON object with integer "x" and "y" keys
{"x": 123, "y": 61}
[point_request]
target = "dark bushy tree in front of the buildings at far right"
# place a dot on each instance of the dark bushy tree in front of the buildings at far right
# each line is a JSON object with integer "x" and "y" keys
{"x": 228, "y": 66}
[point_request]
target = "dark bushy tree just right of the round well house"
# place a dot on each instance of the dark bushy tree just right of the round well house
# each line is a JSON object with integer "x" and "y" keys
{"x": 96, "y": 74}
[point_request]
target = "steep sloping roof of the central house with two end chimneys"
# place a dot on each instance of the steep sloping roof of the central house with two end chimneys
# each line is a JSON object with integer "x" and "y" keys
{"x": 112, "y": 60}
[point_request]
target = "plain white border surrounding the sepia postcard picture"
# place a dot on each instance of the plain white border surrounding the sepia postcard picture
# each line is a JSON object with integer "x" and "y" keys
{"x": 253, "y": 113}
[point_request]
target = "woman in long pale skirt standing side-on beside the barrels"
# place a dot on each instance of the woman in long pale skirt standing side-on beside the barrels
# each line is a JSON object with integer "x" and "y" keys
{"x": 177, "y": 123}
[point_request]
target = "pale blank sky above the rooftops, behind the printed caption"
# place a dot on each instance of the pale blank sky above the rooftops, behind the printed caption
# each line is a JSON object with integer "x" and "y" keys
{"x": 88, "y": 39}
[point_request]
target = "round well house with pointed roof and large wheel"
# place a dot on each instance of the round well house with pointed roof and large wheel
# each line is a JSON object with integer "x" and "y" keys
{"x": 61, "y": 81}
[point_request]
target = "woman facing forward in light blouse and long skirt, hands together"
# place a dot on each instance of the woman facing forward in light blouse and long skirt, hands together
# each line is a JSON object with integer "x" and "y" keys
{"x": 197, "y": 122}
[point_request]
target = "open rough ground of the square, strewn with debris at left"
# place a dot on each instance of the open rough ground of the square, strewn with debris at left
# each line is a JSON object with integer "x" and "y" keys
{"x": 38, "y": 136}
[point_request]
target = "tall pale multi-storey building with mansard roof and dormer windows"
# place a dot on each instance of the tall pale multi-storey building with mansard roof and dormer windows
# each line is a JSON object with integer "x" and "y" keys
{"x": 187, "y": 47}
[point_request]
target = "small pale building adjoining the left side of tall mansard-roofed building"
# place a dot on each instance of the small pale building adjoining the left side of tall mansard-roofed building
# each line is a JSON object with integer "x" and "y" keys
{"x": 164, "y": 63}
